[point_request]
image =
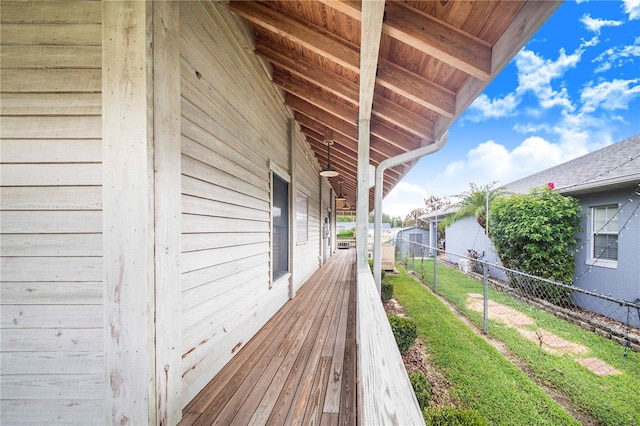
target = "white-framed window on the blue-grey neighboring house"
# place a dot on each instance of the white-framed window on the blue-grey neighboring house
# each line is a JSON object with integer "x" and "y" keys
{"x": 605, "y": 232}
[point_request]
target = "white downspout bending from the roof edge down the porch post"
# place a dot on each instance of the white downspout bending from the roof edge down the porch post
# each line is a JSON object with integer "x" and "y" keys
{"x": 377, "y": 227}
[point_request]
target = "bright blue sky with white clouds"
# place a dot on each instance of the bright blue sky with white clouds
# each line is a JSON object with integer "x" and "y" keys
{"x": 573, "y": 88}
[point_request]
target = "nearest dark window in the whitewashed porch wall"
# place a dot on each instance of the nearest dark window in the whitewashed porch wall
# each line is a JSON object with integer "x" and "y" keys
{"x": 280, "y": 227}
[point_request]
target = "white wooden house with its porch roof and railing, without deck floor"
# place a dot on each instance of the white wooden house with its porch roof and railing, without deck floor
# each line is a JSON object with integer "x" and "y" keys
{"x": 161, "y": 197}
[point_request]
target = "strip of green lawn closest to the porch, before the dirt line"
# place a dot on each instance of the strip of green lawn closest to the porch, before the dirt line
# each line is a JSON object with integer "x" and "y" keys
{"x": 481, "y": 378}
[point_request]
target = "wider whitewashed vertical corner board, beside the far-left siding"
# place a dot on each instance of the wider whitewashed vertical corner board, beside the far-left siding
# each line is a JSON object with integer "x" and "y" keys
{"x": 128, "y": 226}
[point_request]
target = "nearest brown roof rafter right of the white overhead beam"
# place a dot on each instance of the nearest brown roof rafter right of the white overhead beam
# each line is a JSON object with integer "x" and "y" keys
{"x": 438, "y": 39}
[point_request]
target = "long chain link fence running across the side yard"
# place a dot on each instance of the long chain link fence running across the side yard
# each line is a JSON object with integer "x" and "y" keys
{"x": 501, "y": 300}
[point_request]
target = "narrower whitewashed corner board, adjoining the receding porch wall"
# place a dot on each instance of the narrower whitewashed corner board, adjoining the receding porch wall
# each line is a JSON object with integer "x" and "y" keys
{"x": 168, "y": 202}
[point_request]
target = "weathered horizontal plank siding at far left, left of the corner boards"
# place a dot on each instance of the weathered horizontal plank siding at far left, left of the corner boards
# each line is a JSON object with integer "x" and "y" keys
{"x": 52, "y": 362}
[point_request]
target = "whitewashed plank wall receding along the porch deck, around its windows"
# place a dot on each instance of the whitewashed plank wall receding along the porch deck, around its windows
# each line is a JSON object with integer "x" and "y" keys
{"x": 234, "y": 126}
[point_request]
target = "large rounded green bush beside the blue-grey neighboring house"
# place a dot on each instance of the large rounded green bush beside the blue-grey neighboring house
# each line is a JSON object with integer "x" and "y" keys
{"x": 535, "y": 233}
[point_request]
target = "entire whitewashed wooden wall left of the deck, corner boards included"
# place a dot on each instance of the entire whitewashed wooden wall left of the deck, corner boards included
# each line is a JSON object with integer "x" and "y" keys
{"x": 55, "y": 300}
